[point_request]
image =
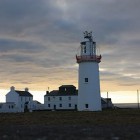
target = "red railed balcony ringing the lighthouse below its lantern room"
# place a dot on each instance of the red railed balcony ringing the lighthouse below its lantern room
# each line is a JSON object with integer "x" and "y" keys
{"x": 88, "y": 58}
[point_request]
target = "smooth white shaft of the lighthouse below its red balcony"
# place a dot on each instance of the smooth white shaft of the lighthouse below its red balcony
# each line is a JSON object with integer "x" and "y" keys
{"x": 89, "y": 93}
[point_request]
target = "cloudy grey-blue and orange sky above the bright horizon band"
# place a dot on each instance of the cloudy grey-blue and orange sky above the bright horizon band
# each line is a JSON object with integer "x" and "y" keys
{"x": 40, "y": 38}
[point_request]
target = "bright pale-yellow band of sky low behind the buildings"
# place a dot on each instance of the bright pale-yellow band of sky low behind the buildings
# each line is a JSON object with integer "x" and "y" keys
{"x": 116, "y": 97}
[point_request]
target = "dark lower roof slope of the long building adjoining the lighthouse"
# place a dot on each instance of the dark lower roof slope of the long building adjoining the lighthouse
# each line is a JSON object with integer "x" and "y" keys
{"x": 57, "y": 93}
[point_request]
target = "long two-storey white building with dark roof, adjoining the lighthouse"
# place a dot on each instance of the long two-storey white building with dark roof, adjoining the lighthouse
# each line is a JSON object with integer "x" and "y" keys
{"x": 63, "y": 99}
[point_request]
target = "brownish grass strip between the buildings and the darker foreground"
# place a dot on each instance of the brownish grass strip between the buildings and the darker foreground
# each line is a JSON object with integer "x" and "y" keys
{"x": 109, "y": 117}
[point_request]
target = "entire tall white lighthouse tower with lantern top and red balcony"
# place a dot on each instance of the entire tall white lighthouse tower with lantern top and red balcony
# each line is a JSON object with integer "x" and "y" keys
{"x": 89, "y": 85}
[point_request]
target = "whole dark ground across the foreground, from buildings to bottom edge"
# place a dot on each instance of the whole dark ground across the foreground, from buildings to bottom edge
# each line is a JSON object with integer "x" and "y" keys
{"x": 71, "y": 125}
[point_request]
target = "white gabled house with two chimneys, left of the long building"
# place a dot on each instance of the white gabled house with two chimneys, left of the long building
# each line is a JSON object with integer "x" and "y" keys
{"x": 21, "y": 99}
